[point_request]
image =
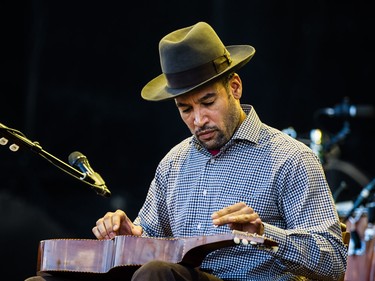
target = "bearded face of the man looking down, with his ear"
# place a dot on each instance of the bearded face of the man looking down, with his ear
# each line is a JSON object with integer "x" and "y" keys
{"x": 212, "y": 113}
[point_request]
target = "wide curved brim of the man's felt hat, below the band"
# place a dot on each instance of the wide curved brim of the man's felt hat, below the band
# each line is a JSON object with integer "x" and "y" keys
{"x": 157, "y": 89}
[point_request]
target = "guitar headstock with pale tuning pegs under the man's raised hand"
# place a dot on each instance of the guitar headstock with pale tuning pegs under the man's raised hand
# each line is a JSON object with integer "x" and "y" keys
{"x": 260, "y": 241}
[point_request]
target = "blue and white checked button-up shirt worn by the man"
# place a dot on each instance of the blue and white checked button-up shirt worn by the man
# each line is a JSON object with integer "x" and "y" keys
{"x": 276, "y": 175}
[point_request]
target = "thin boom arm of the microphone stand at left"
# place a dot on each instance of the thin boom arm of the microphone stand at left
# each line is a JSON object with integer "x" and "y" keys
{"x": 20, "y": 139}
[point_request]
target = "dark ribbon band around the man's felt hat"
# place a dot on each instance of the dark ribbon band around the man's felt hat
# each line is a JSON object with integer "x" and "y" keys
{"x": 198, "y": 74}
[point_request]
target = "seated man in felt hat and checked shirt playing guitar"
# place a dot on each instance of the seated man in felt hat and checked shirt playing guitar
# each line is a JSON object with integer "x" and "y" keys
{"x": 233, "y": 173}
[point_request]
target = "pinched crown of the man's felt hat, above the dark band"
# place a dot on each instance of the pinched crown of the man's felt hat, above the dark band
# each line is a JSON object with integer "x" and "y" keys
{"x": 189, "y": 47}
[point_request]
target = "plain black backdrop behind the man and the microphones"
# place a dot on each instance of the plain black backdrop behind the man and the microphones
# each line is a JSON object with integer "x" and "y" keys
{"x": 73, "y": 72}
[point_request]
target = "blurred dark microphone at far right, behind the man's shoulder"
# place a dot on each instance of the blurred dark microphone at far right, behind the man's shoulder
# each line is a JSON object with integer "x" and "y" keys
{"x": 350, "y": 110}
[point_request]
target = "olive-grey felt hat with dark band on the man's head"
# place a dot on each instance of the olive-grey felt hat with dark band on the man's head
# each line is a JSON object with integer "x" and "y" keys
{"x": 191, "y": 57}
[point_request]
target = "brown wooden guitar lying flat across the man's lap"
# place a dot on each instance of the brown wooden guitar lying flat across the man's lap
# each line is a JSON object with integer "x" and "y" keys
{"x": 126, "y": 253}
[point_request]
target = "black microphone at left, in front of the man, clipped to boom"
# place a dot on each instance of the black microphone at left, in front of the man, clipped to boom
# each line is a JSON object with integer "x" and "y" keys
{"x": 79, "y": 161}
